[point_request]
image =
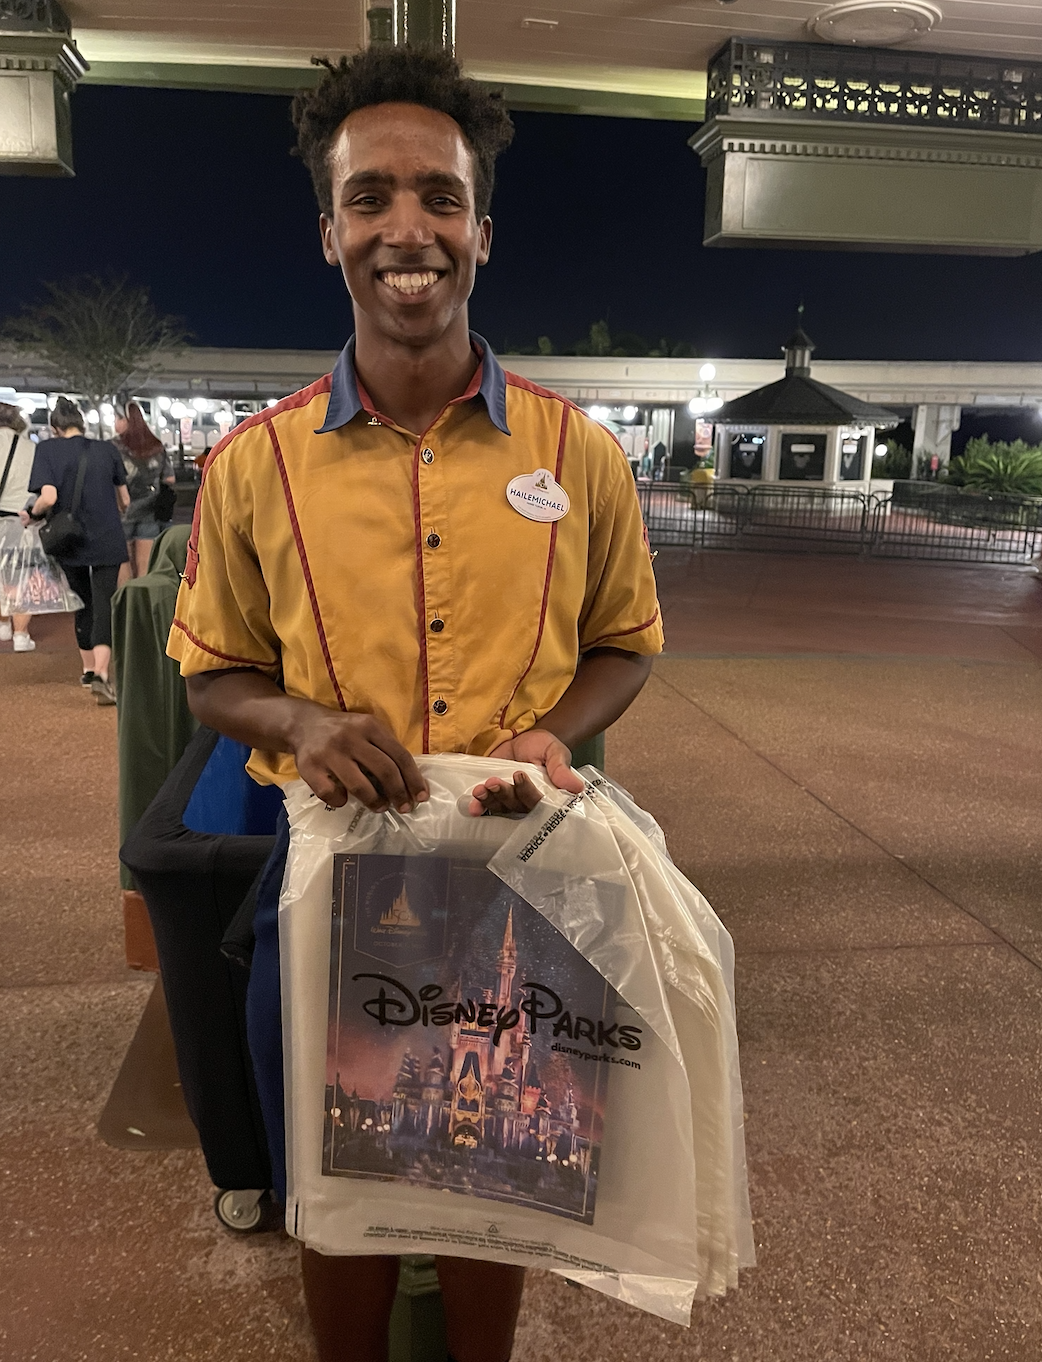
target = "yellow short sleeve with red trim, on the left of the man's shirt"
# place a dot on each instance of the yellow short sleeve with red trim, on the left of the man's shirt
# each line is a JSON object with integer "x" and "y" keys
{"x": 223, "y": 619}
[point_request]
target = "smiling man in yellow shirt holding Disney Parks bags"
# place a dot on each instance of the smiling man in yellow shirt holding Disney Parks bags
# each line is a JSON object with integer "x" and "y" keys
{"x": 417, "y": 554}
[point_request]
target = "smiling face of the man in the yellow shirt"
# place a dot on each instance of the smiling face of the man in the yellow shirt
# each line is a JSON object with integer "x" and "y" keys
{"x": 404, "y": 229}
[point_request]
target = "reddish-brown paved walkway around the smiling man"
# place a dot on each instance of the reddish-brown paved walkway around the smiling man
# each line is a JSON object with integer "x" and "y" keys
{"x": 848, "y": 759}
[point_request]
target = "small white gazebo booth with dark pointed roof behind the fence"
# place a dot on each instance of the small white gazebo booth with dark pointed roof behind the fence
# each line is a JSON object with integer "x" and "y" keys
{"x": 799, "y": 431}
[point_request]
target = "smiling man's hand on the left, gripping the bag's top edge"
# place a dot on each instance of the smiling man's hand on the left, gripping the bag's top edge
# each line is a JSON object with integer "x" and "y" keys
{"x": 353, "y": 754}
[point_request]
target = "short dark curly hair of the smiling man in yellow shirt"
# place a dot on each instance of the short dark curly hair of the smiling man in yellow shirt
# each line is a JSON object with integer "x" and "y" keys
{"x": 400, "y": 76}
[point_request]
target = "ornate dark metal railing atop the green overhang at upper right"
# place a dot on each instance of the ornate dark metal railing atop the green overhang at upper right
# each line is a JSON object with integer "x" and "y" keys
{"x": 750, "y": 78}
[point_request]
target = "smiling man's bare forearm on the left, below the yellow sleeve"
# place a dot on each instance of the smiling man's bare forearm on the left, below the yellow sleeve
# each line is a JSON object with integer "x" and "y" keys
{"x": 249, "y": 706}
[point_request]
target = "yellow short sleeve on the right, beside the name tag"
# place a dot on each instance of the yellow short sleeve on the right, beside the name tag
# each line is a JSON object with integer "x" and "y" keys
{"x": 622, "y": 608}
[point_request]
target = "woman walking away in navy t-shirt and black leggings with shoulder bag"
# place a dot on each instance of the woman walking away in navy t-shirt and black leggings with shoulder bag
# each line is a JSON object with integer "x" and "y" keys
{"x": 93, "y": 567}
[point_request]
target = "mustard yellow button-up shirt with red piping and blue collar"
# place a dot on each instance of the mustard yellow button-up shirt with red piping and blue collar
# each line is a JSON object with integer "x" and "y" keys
{"x": 371, "y": 570}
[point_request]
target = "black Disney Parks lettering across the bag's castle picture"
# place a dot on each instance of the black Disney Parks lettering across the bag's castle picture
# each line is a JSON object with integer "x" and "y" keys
{"x": 402, "y": 1007}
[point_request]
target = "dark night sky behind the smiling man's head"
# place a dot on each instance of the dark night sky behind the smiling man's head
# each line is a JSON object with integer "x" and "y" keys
{"x": 197, "y": 197}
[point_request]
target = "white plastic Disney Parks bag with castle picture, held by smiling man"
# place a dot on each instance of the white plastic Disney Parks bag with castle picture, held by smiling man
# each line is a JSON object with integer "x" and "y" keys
{"x": 589, "y": 1119}
